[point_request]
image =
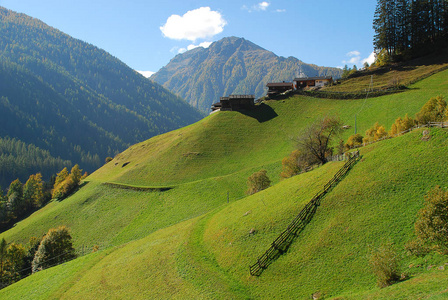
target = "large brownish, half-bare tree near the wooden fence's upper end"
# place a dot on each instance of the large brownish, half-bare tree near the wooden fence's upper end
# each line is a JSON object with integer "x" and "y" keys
{"x": 316, "y": 139}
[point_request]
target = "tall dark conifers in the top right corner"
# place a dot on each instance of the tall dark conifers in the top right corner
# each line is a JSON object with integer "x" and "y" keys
{"x": 409, "y": 28}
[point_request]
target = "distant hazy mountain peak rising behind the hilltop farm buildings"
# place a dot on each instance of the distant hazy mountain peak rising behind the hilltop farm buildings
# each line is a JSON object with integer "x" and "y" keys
{"x": 230, "y": 66}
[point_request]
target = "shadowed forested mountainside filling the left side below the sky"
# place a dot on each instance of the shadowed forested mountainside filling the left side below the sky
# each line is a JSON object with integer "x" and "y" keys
{"x": 74, "y": 100}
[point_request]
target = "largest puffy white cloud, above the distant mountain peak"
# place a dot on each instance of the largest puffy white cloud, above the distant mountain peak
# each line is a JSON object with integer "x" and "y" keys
{"x": 195, "y": 24}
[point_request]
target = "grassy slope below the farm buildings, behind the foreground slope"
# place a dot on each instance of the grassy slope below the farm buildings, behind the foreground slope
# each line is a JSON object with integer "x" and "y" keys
{"x": 203, "y": 162}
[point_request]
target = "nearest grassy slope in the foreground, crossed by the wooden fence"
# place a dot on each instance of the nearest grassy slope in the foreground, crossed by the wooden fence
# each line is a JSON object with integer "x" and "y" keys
{"x": 208, "y": 257}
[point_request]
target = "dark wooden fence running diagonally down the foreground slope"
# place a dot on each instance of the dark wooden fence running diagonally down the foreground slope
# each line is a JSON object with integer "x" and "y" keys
{"x": 285, "y": 239}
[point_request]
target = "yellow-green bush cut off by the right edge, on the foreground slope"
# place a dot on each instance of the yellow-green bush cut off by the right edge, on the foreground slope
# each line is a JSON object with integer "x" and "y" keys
{"x": 432, "y": 222}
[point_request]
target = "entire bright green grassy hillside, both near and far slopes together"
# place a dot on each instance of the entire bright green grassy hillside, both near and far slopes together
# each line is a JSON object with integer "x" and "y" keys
{"x": 186, "y": 241}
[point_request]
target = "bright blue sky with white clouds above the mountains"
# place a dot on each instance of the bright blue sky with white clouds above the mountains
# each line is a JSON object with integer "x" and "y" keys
{"x": 147, "y": 34}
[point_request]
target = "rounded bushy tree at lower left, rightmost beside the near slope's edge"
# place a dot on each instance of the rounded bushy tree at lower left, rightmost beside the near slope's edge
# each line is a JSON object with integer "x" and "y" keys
{"x": 55, "y": 248}
